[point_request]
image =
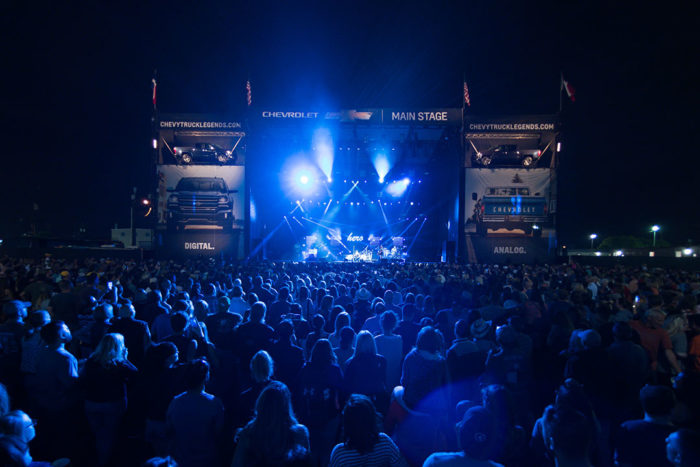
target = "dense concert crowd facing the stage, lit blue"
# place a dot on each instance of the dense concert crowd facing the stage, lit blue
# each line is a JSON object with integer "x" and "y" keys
{"x": 209, "y": 363}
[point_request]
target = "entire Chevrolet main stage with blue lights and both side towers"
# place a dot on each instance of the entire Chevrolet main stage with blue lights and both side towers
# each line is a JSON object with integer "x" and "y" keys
{"x": 357, "y": 185}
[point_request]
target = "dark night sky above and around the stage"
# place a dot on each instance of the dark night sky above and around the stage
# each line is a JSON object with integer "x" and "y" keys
{"x": 76, "y": 93}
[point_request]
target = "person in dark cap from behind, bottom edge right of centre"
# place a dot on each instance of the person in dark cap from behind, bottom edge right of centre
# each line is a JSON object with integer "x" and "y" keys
{"x": 477, "y": 437}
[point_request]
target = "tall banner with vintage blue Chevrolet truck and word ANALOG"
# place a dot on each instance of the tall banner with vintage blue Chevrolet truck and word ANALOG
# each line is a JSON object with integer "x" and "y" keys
{"x": 510, "y": 214}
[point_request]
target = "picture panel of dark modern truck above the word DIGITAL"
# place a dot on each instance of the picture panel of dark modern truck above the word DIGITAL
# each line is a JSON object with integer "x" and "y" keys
{"x": 201, "y": 197}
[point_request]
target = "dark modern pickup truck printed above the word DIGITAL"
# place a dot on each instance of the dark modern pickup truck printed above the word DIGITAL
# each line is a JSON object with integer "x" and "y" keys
{"x": 200, "y": 201}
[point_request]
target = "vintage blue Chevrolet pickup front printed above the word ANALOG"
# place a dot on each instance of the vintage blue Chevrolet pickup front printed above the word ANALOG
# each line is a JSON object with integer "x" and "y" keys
{"x": 510, "y": 207}
